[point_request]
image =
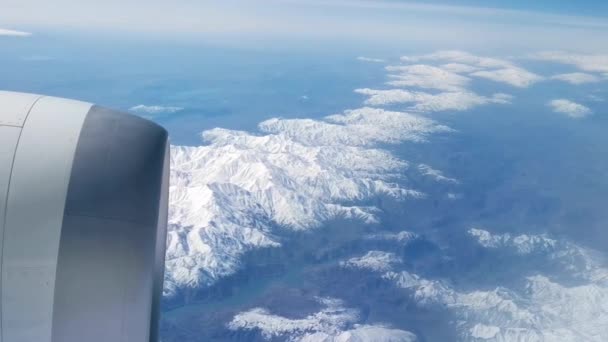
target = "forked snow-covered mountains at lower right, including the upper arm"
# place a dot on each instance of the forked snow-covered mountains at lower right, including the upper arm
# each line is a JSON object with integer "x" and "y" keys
{"x": 540, "y": 310}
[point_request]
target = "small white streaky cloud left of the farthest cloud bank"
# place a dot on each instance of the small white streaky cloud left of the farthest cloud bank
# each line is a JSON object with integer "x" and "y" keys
{"x": 426, "y": 76}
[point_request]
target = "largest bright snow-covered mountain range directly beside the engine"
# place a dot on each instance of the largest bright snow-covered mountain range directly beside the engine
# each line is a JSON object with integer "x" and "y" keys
{"x": 228, "y": 196}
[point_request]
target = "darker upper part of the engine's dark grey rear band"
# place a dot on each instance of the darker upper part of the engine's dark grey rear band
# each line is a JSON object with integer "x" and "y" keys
{"x": 119, "y": 158}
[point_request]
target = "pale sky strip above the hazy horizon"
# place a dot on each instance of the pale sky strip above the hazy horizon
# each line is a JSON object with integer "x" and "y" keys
{"x": 463, "y": 24}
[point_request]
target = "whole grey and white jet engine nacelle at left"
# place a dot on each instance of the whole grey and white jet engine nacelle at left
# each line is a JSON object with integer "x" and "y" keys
{"x": 83, "y": 219}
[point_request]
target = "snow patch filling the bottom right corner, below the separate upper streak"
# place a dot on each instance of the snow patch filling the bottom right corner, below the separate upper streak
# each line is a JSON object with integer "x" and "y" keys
{"x": 547, "y": 311}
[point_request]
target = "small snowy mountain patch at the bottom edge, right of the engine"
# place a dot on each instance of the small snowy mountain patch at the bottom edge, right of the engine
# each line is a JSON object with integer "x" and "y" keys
{"x": 334, "y": 323}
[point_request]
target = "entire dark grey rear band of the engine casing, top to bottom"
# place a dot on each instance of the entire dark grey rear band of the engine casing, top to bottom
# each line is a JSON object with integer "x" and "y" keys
{"x": 114, "y": 222}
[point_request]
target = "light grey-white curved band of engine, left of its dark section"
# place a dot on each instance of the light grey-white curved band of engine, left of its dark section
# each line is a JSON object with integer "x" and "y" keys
{"x": 34, "y": 217}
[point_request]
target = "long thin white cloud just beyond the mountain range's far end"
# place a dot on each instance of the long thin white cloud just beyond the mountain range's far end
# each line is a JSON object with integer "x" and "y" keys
{"x": 426, "y": 102}
